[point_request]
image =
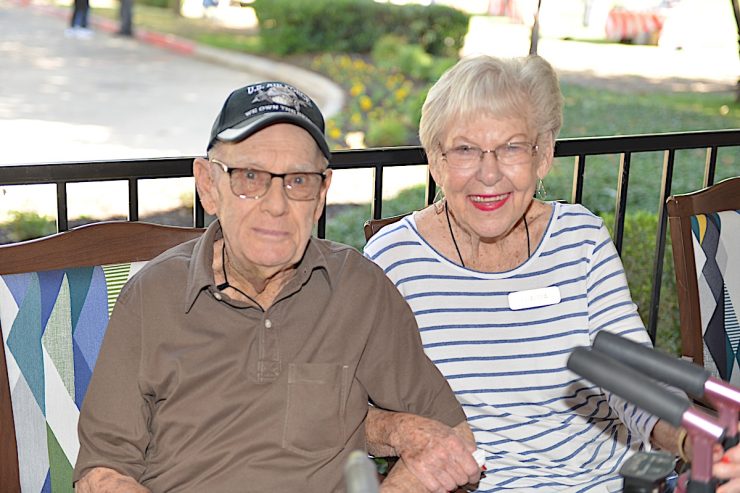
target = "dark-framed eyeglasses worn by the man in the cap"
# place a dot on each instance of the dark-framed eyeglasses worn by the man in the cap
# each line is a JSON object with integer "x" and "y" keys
{"x": 249, "y": 183}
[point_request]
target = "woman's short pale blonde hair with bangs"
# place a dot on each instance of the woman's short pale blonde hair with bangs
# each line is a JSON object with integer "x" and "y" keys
{"x": 524, "y": 87}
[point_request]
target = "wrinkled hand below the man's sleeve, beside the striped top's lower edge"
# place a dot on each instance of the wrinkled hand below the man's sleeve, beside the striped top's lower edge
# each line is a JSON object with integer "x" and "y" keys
{"x": 439, "y": 456}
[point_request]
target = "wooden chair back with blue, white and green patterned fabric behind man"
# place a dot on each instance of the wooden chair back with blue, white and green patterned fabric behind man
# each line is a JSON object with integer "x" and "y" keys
{"x": 55, "y": 297}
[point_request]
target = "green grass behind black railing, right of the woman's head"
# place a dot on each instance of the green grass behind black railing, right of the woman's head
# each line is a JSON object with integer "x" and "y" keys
{"x": 592, "y": 111}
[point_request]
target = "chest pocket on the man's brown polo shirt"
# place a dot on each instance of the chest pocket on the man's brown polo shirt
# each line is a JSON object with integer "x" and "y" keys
{"x": 315, "y": 411}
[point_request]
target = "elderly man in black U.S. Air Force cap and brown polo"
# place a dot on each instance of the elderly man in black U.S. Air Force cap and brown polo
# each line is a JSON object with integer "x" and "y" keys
{"x": 244, "y": 360}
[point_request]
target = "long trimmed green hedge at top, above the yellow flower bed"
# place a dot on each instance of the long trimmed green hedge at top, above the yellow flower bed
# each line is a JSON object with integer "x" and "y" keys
{"x": 354, "y": 26}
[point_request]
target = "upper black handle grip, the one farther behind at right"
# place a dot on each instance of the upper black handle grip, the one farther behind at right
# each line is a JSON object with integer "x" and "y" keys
{"x": 674, "y": 371}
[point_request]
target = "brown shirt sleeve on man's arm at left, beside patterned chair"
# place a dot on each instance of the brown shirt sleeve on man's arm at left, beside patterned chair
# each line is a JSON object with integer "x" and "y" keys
{"x": 113, "y": 427}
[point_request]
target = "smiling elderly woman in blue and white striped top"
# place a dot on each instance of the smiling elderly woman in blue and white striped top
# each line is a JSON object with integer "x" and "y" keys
{"x": 504, "y": 286}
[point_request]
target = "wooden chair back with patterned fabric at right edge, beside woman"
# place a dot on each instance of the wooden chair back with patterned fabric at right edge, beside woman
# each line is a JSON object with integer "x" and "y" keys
{"x": 705, "y": 235}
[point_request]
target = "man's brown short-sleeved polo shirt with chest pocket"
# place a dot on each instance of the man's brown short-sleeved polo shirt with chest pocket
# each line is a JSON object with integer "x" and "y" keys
{"x": 196, "y": 392}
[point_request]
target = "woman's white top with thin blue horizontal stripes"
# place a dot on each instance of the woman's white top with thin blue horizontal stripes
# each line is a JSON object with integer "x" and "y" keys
{"x": 543, "y": 428}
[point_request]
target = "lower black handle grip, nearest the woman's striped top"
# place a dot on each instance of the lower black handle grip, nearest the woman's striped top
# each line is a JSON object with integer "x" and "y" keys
{"x": 627, "y": 383}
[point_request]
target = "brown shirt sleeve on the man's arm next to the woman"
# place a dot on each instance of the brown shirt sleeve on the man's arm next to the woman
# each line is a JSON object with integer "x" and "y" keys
{"x": 394, "y": 368}
